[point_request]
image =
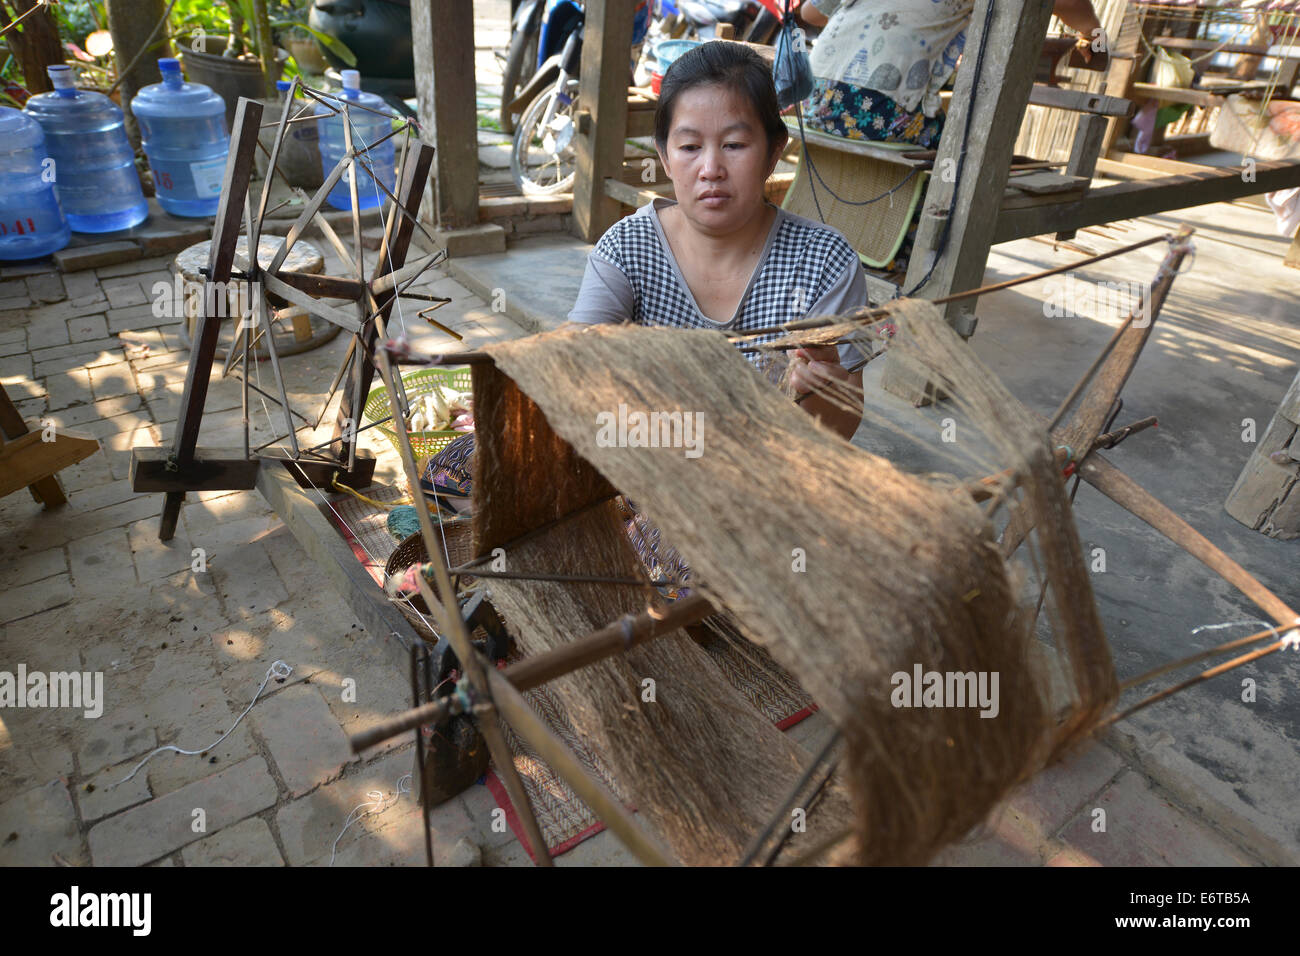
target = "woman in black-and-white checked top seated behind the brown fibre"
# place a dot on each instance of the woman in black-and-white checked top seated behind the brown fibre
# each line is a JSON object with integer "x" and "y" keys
{"x": 721, "y": 257}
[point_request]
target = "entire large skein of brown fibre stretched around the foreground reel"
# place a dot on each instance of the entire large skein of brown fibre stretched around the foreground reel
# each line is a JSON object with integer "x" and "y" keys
{"x": 896, "y": 572}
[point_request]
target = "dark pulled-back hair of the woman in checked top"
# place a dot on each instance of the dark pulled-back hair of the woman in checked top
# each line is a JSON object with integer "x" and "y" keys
{"x": 731, "y": 66}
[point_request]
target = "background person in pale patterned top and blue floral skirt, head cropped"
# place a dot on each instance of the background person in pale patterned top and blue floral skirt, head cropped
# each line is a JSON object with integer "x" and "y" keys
{"x": 879, "y": 64}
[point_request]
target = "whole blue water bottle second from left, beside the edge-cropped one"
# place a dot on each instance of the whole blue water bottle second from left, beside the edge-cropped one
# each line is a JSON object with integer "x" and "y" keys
{"x": 96, "y": 178}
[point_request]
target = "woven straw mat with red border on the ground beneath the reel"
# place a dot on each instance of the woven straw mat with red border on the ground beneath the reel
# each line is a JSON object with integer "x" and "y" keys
{"x": 566, "y": 821}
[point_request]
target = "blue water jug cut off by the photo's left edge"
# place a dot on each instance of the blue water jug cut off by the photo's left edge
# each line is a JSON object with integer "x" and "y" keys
{"x": 32, "y": 224}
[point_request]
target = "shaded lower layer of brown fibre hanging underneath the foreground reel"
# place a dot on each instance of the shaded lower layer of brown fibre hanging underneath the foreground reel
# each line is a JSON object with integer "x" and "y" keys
{"x": 700, "y": 763}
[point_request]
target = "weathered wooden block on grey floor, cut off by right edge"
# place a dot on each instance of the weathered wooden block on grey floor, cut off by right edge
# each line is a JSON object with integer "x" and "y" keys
{"x": 1267, "y": 495}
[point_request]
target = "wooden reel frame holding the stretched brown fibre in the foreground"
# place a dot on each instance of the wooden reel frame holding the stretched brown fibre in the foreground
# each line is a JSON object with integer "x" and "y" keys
{"x": 1086, "y": 430}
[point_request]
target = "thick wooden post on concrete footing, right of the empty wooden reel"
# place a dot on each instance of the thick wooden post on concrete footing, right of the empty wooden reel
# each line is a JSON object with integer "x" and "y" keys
{"x": 444, "y": 42}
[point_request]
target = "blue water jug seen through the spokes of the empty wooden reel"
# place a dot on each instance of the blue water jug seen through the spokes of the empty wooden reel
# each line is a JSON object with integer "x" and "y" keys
{"x": 367, "y": 129}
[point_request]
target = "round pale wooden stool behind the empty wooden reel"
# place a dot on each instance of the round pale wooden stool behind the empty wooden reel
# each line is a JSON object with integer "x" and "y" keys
{"x": 304, "y": 335}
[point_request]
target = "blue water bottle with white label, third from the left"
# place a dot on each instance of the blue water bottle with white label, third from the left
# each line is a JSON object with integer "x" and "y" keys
{"x": 185, "y": 139}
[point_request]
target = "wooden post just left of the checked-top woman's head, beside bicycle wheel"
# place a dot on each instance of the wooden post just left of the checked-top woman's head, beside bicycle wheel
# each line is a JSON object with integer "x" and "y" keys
{"x": 604, "y": 97}
